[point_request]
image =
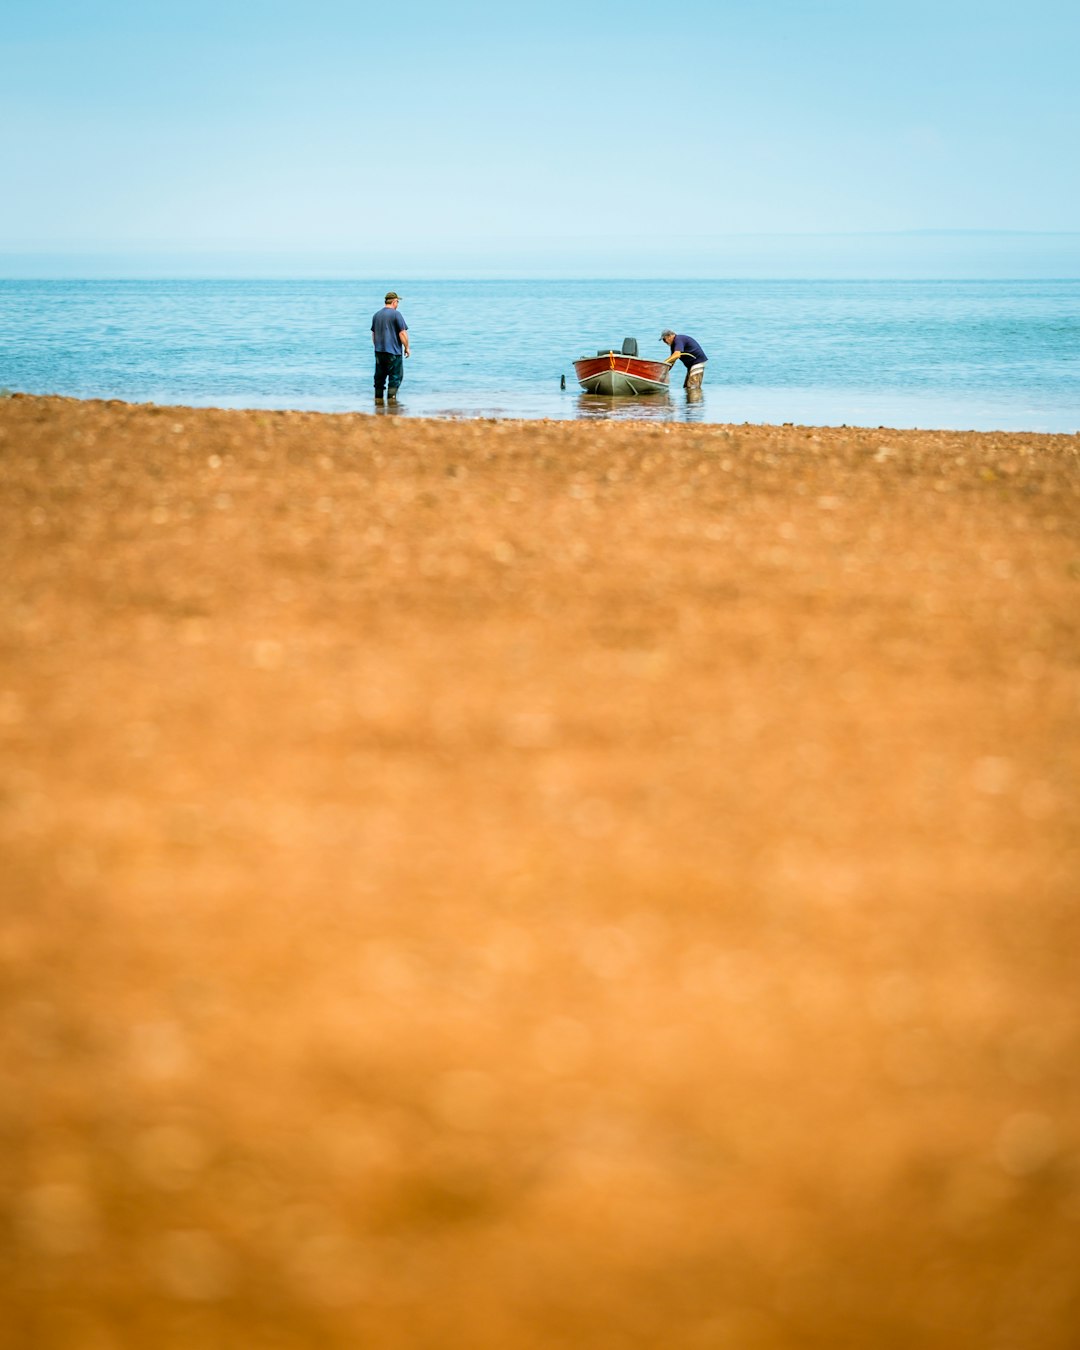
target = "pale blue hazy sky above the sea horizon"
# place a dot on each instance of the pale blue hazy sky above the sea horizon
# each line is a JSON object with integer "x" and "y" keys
{"x": 731, "y": 138}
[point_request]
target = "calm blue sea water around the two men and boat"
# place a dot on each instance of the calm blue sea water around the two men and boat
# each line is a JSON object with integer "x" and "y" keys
{"x": 983, "y": 356}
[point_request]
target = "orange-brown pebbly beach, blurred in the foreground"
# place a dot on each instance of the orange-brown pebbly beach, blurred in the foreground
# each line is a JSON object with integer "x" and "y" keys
{"x": 506, "y": 886}
